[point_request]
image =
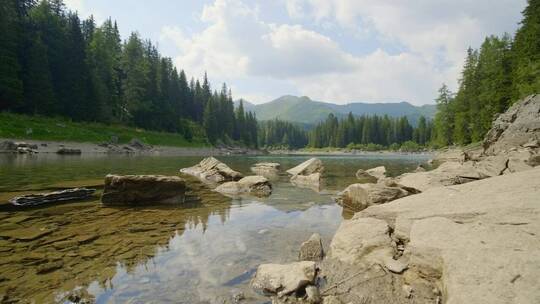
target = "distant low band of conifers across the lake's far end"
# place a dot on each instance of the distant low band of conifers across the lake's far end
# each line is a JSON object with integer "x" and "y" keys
{"x": 363, "y": 132}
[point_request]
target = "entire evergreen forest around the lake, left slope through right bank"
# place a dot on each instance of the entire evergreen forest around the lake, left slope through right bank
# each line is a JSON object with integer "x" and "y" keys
{"x": 54, "y": 64}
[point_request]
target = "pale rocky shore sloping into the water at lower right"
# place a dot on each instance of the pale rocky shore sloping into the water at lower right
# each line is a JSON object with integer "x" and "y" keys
{"x": 465, "y": 232}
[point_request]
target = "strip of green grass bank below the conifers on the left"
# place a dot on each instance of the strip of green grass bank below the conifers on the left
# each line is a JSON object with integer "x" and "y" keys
{"x": 18, "y": 126}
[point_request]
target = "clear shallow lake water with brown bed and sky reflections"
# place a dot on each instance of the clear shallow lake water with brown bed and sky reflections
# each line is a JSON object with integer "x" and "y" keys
{"x": 201, "y": 253}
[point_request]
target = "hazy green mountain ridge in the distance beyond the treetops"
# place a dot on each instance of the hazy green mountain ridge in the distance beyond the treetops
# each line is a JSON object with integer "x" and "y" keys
{"x": 307, "y": 111}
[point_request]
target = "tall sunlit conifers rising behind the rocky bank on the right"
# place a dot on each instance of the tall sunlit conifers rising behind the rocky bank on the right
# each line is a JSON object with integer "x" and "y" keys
{"x": 502, "y": 71}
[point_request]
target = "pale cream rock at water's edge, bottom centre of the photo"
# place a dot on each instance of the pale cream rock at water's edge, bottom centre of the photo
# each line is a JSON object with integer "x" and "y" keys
{"x": 284, "y": 279}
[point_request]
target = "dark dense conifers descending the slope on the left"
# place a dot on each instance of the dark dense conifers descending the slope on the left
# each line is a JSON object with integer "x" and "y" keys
{"x": 54, "y": 64}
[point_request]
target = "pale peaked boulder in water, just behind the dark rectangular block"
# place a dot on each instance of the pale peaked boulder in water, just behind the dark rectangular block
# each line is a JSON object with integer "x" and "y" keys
{"x": 212, "y": 170}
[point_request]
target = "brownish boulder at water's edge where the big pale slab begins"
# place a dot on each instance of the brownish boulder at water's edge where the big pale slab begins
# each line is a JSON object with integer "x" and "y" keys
{"x": 360, "y": 196}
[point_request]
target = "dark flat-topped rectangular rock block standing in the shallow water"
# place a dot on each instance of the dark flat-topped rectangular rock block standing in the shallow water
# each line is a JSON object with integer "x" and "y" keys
{"x": 142, "y": 189}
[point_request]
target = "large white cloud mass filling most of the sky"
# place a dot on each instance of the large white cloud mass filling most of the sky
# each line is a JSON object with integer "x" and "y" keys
{"x": 238, "y": 44}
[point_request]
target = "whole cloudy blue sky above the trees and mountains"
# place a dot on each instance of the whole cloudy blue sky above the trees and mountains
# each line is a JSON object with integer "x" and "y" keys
{"x": 337, "y": 51}
